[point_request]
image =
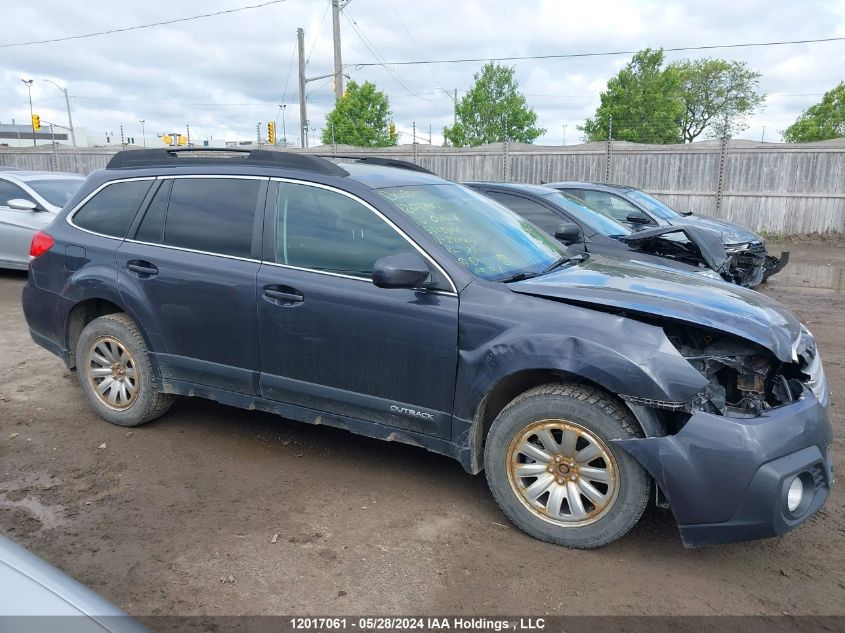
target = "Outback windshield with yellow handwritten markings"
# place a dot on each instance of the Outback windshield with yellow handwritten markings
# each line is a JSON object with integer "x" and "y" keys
{"x": 486, "y": 238}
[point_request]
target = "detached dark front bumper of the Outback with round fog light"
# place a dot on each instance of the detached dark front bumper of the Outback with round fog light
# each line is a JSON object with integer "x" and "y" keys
{"x": 727, "y": 478}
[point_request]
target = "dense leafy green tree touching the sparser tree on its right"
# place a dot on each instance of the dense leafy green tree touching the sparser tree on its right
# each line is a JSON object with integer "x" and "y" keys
{"x": 642, "y": 103}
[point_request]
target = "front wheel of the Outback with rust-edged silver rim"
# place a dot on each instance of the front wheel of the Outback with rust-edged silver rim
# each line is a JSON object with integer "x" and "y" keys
{"x": 554, "y": 472}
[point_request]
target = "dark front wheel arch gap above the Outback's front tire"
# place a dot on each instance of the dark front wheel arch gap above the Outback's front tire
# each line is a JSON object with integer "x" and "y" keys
{"x": 506, "y": 390}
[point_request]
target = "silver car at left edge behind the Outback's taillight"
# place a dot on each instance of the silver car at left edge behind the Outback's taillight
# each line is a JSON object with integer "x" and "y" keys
{"x": 29, "y": 200}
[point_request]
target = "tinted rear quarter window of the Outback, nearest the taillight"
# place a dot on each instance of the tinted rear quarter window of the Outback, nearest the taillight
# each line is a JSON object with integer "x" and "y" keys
{"x": 111, "y": 211}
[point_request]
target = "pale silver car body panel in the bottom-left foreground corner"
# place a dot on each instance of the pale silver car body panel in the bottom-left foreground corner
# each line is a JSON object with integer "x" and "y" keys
{"x": 35, "y": 596}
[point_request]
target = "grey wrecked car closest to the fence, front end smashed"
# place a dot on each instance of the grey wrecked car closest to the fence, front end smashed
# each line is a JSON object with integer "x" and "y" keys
{"x": 750, "y": 263}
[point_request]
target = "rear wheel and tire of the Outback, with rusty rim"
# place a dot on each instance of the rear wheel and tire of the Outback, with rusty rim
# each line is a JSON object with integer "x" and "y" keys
{"x": 114, "y": 370}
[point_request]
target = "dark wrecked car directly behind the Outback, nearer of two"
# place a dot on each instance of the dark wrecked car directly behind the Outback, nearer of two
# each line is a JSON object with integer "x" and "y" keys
{"x": 584, "y": 229}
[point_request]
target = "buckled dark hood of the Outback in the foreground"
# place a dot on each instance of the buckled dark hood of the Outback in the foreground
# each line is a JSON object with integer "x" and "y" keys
{"x": 639, "y": 288}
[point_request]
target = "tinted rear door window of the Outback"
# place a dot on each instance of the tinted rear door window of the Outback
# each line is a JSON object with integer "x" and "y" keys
{"x": 213, "y": 215}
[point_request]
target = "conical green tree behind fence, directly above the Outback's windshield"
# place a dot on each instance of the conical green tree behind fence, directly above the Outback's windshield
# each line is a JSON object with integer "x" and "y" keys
{"x": 493, "y": 111}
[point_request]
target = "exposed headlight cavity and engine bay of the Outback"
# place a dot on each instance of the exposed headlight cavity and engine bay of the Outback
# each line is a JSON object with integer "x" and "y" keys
{"x": 745, "y": 378}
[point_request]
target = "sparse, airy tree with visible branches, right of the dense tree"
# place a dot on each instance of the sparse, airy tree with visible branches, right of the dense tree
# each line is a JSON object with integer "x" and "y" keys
{"x": 718, "y": 96}
